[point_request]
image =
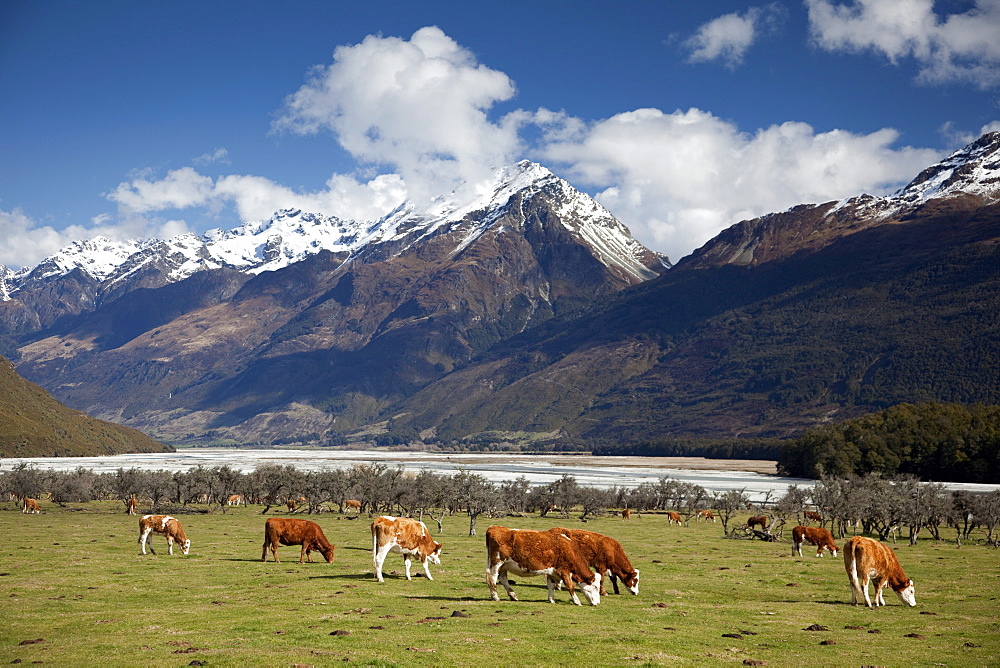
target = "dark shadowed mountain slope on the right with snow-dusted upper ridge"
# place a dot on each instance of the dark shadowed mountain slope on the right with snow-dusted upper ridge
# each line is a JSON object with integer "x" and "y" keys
{"x": 782, "y": 322}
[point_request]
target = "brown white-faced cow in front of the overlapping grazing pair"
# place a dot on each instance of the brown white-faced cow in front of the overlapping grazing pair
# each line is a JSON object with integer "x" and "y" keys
{"x": 524, "y": 552}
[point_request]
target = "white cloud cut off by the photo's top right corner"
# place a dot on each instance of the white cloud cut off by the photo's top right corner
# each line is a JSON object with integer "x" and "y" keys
{"x": 961, "y": 48}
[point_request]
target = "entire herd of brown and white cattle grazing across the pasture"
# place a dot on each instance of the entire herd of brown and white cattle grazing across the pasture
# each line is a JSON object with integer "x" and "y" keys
{"x": 573, "y": 558}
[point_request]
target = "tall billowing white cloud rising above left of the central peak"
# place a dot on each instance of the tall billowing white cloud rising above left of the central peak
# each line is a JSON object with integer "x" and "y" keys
{"x": 419, "y": 106}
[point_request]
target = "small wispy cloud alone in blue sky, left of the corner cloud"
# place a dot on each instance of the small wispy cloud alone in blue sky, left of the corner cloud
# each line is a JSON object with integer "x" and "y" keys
{"x": 728, "y": 37}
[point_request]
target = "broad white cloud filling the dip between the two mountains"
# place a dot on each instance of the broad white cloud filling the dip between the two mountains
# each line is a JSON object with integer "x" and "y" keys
{"x": 678, "y": 179}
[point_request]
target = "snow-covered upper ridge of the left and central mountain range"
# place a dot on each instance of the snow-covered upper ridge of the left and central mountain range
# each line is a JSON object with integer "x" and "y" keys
{"x": 292, "y": 235}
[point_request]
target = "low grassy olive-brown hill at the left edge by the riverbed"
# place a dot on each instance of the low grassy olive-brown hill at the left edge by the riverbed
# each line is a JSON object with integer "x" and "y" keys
{"x": 33, "y": 424}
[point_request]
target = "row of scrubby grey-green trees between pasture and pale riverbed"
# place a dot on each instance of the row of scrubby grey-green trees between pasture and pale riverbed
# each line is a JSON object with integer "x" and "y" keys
{"x": 870, "y": 503}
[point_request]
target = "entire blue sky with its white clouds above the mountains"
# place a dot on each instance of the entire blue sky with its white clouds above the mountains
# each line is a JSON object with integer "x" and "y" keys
{"x": 137, "y": 119}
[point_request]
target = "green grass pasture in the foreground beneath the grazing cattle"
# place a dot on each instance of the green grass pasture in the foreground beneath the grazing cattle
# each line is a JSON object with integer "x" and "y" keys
{"x": 78, "y": 593}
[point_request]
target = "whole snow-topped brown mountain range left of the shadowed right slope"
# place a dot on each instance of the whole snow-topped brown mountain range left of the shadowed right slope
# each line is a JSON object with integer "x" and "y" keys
{"x": 306, "y": 325}
